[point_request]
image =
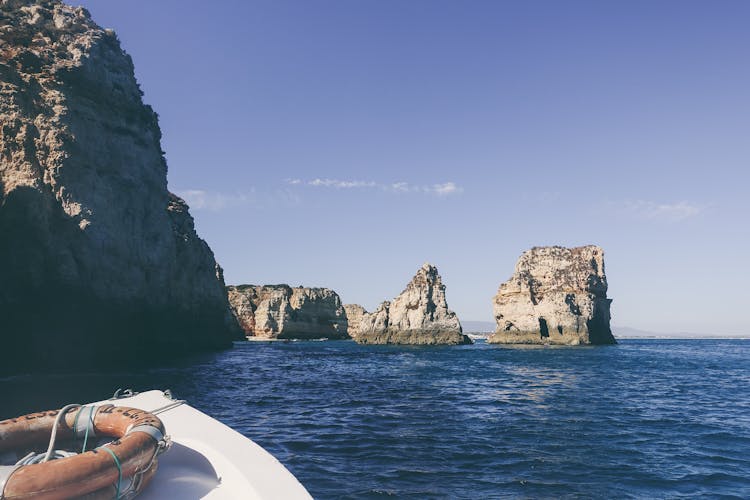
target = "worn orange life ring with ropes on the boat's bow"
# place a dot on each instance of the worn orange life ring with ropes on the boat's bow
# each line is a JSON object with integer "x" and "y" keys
{"x": 139, "y": 438}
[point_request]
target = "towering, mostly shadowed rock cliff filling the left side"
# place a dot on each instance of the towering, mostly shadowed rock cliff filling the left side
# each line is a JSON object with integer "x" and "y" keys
{"x": 98, "y": 261}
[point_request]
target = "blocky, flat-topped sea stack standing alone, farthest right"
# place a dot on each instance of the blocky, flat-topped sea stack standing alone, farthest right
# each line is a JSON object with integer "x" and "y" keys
{"x": 556, "y": 296}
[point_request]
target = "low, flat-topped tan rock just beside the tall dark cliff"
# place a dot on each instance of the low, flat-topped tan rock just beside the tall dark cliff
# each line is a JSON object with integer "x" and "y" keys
{"x": 283, "y": 312}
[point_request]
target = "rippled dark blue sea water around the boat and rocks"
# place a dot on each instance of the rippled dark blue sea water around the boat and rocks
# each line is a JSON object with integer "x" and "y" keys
{"x": 645, "y": 418}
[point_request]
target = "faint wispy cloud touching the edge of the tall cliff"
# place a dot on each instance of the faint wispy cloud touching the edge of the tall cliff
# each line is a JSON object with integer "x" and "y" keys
{"x": 199, "y": 199}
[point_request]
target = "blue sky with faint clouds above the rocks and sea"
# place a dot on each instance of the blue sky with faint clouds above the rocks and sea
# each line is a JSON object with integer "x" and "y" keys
{"x": 344, "y": 143}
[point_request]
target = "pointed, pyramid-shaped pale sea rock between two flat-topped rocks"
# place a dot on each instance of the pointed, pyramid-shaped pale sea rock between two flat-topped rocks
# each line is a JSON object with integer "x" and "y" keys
{"x": 420, "y": 315}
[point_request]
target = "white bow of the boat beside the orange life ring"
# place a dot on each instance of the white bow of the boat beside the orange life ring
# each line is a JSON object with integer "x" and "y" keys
{"x": 207, "y": 459}
